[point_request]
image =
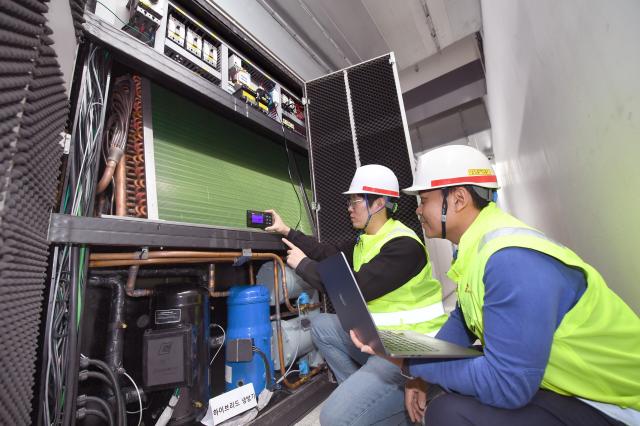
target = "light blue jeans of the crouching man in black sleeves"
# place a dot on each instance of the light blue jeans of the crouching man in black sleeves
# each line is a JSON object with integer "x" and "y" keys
{"x": 371, "y": 389}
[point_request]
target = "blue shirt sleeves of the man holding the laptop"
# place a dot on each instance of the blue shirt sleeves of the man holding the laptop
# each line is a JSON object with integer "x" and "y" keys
{"x": 527, "y": 294}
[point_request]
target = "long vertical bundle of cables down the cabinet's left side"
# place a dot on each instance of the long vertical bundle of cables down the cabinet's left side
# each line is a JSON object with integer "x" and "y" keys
{"x": 61, "y": 354}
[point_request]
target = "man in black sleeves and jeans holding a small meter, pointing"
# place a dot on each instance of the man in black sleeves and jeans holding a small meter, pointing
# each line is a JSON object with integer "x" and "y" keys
{"x": 393, "y": 272}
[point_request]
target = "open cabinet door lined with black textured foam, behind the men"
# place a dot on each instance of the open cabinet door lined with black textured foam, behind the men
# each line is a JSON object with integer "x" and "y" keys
{"x": 355, "y": 117}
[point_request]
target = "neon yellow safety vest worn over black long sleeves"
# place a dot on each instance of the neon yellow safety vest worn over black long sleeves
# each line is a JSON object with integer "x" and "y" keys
{"x": 417, "y": 304}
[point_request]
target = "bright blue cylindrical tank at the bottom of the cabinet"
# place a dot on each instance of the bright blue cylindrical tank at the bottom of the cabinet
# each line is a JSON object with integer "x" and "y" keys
{"x": 248, "y": 317}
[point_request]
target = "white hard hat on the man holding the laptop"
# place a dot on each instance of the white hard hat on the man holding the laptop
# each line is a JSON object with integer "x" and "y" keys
{"x": 452, "y": 165}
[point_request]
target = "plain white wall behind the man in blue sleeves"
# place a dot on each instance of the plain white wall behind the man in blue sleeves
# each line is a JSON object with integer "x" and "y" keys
{"x": 564, "y": 102}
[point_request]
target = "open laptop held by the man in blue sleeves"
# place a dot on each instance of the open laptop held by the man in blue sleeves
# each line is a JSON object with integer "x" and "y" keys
{"x": 346, "y": 297}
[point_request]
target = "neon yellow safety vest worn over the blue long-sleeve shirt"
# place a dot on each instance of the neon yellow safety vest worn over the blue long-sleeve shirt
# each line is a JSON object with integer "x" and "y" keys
{"x": 595, "y": 353}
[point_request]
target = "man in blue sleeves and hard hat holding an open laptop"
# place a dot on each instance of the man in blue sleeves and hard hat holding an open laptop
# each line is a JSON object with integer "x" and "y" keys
{"x": 560, "y": 348}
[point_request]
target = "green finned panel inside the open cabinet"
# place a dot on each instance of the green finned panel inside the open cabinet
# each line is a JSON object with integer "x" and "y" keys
{"x": 211, "y": 170}
